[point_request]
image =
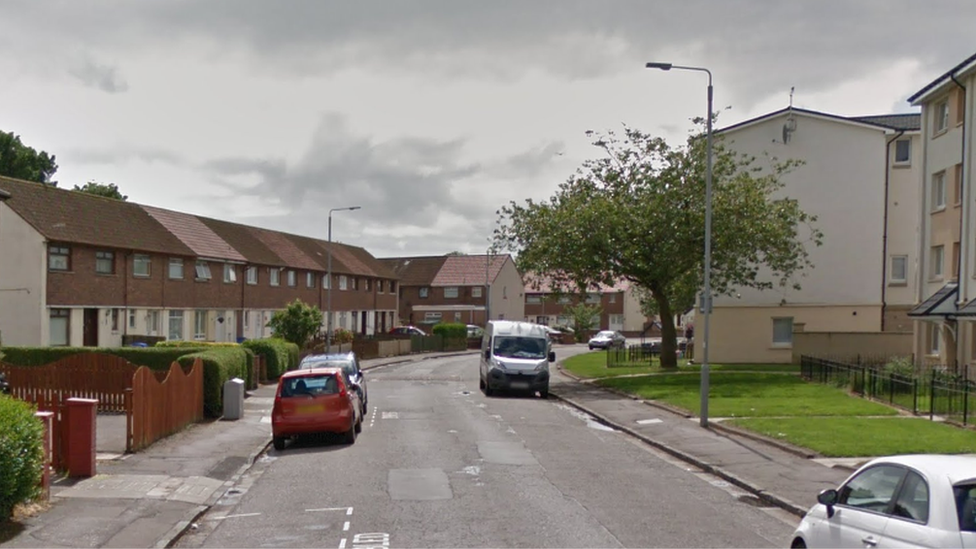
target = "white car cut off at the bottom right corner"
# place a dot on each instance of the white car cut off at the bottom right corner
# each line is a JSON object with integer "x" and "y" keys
{"x": 925, "y": 501}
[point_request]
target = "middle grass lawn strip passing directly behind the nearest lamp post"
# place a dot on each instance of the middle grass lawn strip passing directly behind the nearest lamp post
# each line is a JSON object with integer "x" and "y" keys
{"x": 749, "y": 395}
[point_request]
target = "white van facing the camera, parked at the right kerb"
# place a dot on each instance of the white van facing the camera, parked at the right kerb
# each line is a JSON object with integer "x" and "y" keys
{"x": 516, "y": 356}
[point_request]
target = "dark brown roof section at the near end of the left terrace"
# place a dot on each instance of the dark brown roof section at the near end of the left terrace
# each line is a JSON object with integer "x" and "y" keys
{"x": 74, "y": 217}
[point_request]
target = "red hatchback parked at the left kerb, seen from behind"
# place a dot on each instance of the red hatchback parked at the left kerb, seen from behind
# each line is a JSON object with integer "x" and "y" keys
{"x": 316, "y": 400}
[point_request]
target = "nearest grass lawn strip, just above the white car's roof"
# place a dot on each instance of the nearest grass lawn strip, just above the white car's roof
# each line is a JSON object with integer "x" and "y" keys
{"x": 855, "y": 437}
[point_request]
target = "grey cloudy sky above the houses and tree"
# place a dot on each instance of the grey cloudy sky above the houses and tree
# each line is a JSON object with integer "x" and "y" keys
{"x": 430, "y": 114}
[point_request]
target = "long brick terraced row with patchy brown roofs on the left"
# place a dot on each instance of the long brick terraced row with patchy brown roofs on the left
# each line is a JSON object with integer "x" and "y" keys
{"x": 77, "y": 269}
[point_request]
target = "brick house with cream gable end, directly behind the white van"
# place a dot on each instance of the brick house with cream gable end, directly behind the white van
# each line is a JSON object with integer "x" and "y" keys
{"x": 457, "y": 288}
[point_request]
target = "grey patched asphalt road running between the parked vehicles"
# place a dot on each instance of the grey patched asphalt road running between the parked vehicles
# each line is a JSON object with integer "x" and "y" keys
{"x": 438, "y": 464}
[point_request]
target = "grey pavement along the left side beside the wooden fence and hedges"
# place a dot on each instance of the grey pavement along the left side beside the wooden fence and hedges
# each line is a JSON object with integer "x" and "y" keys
{"x": 149, "y": 498}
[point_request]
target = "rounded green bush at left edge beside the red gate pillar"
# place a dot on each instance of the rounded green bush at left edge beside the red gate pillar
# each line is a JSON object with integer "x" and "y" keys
{"x": 21, "y": 454}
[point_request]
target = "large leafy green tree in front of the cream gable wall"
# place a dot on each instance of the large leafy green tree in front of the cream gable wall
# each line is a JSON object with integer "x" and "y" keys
{"x": 637, "y": 213}
